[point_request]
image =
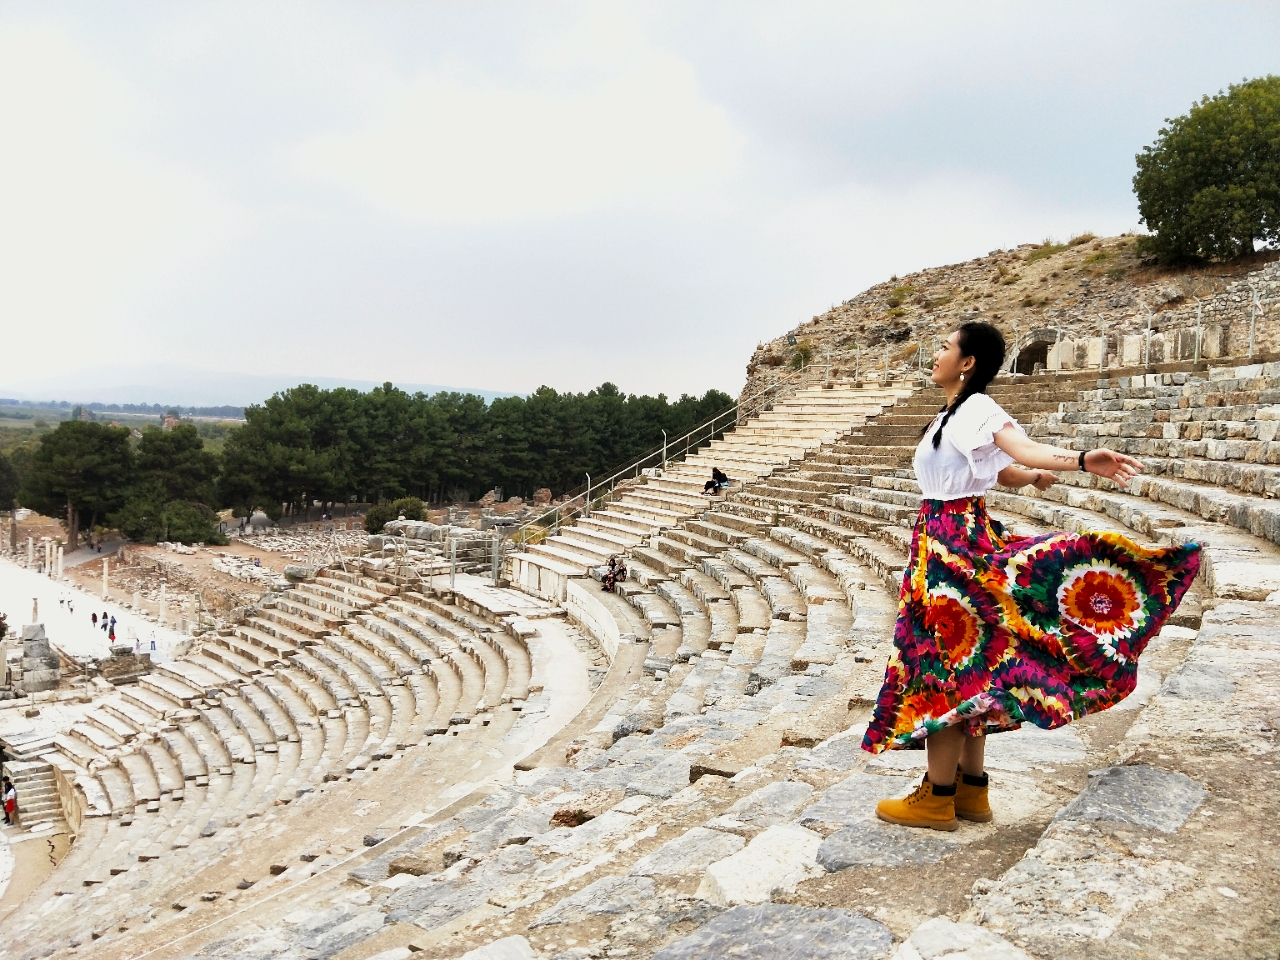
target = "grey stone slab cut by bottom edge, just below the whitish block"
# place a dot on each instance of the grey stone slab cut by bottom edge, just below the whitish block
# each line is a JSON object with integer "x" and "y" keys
{"x": 783, "y": 932}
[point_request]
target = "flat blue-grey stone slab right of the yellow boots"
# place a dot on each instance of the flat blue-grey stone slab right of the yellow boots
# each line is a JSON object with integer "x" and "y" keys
{"x": 1144, "y": 796}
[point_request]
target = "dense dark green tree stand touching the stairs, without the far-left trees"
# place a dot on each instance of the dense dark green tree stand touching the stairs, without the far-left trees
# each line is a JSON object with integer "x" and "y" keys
{"x": 310, "y": 445}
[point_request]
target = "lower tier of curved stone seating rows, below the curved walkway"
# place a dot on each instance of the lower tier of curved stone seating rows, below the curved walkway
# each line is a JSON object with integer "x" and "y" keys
{"x": 198, "y": 746}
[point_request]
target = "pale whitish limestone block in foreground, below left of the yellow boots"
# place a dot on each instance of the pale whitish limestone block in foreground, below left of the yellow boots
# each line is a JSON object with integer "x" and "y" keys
{"x": 770, "y": 866}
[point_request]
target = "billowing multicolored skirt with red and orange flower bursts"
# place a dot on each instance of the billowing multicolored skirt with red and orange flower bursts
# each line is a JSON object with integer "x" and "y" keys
{"x": 994, "y": 632}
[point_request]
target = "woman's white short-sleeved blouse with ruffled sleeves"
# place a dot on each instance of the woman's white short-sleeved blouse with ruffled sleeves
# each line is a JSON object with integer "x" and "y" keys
{"x": 967, "y": 461}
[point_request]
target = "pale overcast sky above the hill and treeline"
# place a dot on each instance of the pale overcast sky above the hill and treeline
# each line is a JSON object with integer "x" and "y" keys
{"x": 511, "y": 195}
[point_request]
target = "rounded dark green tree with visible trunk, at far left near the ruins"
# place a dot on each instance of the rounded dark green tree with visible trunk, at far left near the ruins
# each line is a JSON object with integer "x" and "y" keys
{"x": 83, "y": 468}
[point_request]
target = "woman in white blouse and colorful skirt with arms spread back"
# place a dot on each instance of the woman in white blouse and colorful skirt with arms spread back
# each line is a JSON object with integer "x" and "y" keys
{"x": 995, "y": 630}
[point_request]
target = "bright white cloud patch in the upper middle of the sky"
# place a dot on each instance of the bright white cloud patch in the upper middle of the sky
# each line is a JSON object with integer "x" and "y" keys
{"x": 602, "y": 121}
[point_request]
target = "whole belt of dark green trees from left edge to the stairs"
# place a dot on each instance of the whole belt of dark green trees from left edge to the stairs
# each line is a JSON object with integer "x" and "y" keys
{"x": 339, "y": 446}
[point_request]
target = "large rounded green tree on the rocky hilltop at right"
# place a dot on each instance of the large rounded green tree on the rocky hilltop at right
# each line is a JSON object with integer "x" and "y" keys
{"x": 1210, "y": 185}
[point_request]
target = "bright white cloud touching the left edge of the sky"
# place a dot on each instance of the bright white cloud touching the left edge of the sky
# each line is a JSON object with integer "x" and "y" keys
{"x": 93, "y": 232}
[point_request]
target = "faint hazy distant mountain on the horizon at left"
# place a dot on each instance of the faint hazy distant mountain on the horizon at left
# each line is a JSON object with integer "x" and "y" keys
{"x": 190, "y": 387}
